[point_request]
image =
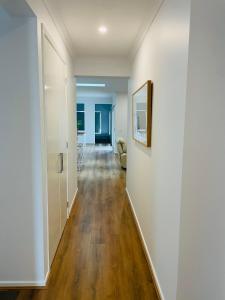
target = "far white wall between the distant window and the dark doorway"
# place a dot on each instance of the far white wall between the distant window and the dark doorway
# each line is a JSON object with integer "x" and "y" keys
{"x": 89, "y": 104}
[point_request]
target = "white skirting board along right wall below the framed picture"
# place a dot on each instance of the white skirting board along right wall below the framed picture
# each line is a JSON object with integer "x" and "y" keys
{"x": 147, "y": 254}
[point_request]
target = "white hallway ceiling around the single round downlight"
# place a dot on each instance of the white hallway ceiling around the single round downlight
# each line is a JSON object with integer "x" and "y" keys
{"x": 126, "y": 21}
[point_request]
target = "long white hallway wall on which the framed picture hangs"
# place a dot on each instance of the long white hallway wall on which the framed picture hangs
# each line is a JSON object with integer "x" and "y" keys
{"x": 154, "y": 175}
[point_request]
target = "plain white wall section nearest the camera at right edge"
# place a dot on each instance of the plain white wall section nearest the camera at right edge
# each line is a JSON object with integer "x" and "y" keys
{"x": 202, "y": 245}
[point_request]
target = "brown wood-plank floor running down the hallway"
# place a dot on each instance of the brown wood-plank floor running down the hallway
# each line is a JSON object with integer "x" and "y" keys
{"x": 100, "y": 255}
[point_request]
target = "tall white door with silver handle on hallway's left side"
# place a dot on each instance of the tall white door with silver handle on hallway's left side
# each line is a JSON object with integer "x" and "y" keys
{"x": 55, "y": 126}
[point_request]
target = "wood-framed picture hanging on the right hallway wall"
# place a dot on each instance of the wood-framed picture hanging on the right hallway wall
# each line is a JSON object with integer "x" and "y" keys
{"x": 142, "y": 114}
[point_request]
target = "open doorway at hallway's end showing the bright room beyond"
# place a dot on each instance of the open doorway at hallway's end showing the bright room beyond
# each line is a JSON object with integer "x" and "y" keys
{"x": 102, "y": 105}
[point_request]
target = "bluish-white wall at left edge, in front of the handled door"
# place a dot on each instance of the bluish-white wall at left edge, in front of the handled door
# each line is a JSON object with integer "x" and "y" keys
{"x": 21, "y": 230}
